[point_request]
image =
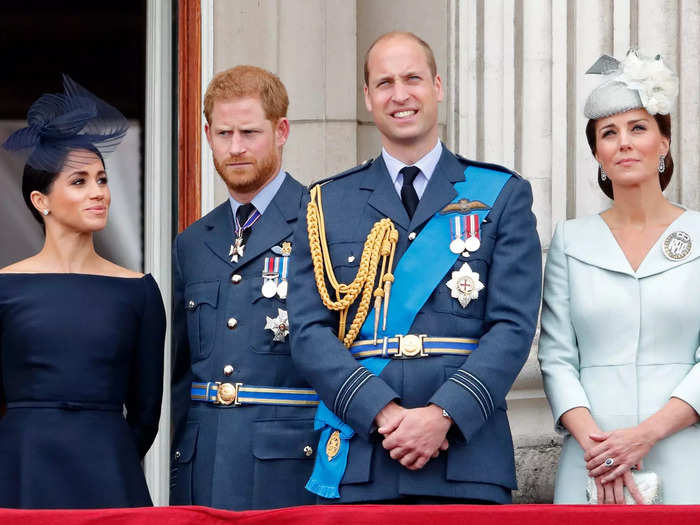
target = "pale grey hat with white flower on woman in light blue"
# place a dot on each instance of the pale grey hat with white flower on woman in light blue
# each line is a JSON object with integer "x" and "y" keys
{"x": 635, "y": 82}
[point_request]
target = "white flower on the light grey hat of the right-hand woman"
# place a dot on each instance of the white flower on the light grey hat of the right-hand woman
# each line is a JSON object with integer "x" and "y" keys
{"x": 656, "y": 84}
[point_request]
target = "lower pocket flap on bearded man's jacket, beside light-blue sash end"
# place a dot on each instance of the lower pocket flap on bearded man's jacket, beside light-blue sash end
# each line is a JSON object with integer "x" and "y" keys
{"x": 284, "y": 439}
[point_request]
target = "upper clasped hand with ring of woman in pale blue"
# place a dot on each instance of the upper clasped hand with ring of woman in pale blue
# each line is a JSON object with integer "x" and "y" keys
{"x": 616, "y": 452}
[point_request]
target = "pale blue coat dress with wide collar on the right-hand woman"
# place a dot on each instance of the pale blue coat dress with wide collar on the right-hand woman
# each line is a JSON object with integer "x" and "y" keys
{"x": 622, "y": 343}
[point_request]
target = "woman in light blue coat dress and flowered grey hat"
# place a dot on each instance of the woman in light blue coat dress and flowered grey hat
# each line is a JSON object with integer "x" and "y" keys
{"x": 621, "y": 315}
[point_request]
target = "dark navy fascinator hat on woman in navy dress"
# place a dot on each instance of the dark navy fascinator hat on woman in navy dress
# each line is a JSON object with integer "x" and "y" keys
{"x": 58, "y": 123}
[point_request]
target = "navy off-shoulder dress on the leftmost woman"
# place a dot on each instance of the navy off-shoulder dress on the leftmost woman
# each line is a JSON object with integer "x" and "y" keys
{"x": 81, "y": 373}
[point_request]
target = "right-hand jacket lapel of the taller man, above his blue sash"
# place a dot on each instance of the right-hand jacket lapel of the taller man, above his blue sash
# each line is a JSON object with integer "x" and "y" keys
{"x": 440, "y": 191}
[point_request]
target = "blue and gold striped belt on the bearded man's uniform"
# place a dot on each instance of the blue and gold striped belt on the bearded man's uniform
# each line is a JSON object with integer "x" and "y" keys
{"x": 237, "y": 394}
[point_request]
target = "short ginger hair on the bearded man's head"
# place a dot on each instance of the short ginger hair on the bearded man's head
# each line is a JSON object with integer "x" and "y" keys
{"x": 248, "y": 81}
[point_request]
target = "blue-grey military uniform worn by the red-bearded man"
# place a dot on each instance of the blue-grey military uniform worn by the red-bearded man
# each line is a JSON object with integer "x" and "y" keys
{"x": 230, "y": 456}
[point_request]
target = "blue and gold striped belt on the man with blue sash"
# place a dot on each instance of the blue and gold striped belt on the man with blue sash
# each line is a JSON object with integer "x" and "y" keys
{"x": 412, "y": 346}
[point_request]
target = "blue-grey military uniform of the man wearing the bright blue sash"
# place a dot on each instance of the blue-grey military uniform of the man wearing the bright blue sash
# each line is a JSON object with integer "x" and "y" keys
{"x": 479, "y": 463}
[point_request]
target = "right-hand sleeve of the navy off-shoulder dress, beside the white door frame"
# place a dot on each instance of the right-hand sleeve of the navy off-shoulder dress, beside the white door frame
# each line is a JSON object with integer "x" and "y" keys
{"x": 145, "y": 392}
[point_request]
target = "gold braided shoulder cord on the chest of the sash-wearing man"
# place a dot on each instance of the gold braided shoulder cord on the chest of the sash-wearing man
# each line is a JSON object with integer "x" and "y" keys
{"x": 380, "y": 243}
